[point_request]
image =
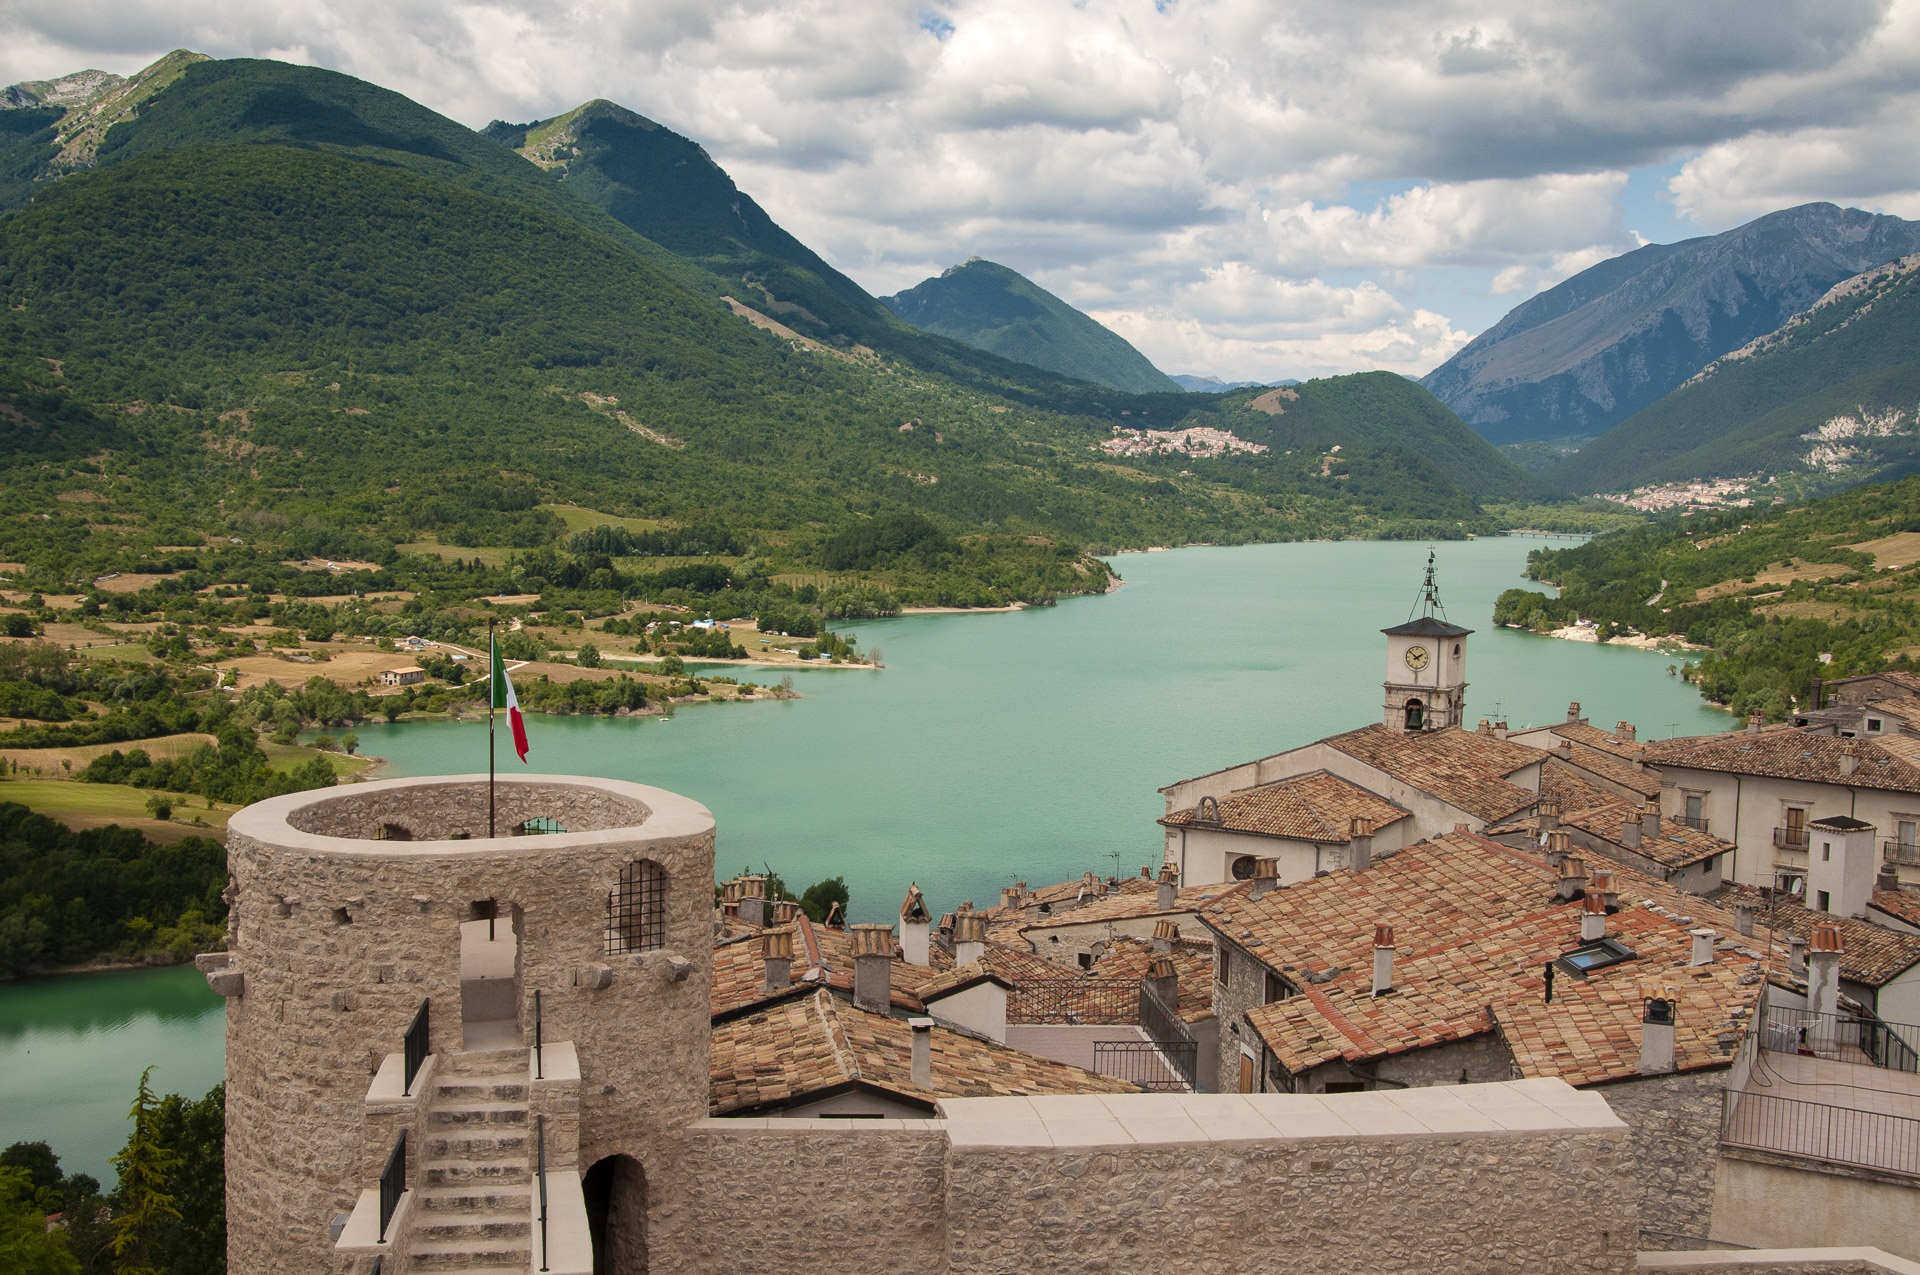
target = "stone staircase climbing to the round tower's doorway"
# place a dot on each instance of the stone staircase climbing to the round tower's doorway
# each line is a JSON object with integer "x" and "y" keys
{"x": 475, "y": 1172}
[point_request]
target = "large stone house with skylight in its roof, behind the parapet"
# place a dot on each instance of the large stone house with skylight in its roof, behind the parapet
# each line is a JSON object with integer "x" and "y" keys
{"x": 1466, "y": 961}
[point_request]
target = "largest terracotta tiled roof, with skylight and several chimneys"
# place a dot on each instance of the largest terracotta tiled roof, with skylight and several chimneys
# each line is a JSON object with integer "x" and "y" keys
{"x": 1476, "y": 925}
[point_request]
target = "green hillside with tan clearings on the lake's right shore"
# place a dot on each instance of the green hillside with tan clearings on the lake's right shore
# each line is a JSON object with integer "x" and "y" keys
{"x": 1781, "y": 598}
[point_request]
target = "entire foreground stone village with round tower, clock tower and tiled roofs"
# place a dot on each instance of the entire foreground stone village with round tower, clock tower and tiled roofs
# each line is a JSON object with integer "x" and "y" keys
{"x": 1650, "y": 998}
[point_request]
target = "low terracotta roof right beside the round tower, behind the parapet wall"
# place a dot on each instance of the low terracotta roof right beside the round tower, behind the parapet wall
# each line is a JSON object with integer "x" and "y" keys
{"x": 817, "y": 1046}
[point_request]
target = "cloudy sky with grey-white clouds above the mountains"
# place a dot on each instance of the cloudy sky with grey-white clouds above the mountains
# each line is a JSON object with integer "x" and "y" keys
{"x": 1251, "y": 189}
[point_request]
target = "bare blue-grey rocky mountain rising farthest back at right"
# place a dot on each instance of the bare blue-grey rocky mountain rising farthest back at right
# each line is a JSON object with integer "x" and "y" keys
{"x": 1616, "y": 339}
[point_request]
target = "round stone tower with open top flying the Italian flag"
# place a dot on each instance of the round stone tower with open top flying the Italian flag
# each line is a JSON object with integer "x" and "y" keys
{"x": 358, "y": 907}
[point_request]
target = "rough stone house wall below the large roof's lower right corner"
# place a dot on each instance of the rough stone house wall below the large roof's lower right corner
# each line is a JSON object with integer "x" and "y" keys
{"x": 1677, "y": 1143}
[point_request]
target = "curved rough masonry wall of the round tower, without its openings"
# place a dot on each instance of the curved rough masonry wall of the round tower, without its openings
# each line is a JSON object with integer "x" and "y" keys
{"x": 339, "y": 940}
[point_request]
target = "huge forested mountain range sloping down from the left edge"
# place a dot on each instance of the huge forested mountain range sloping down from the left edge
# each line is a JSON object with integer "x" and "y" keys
{"x": 283, "y": 306}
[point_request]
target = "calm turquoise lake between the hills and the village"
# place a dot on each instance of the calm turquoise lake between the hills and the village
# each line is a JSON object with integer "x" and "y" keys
{"x": 990, "y": 748}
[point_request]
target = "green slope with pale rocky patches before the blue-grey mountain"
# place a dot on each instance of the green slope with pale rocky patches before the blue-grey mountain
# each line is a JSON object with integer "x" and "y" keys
{"x": 1829, "y": 398}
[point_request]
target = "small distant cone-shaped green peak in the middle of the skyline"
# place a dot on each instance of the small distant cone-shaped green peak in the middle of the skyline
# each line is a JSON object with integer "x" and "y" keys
{"x": 994, "y": 308}
